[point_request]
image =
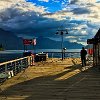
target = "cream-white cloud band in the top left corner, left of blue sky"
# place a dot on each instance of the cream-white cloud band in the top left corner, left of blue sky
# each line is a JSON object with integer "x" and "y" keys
{"x": 22, "y": 5}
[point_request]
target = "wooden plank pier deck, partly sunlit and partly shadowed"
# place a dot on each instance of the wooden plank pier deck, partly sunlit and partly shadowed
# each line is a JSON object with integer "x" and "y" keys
{"x": 54, "y": 80}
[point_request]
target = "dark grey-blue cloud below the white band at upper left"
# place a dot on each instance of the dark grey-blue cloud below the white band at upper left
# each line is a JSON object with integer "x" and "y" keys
{"x": 17, "y": 18}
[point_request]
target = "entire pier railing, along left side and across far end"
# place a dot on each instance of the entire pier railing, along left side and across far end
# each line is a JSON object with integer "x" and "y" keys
{"x": 14, "y": 67}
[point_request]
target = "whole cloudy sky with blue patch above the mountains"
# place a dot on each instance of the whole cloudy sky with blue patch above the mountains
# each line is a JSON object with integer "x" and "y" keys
{"x": 44, "y": 17}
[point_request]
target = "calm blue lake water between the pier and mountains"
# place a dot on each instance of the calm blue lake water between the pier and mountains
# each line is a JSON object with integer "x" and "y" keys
{"x": 13, "y": 54}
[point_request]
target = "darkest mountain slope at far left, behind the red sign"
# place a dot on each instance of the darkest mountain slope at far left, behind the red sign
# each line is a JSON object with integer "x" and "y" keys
{"x": 10, "y": 41}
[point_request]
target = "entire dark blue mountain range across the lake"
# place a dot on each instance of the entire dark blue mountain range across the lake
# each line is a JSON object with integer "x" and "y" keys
{"x": 11, "y": 42}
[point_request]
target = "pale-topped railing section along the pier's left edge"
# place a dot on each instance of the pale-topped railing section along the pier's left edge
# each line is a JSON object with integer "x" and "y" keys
{"x": 13, "y": 67}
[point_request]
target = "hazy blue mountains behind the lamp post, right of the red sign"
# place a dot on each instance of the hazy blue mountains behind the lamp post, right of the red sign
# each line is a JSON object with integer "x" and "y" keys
{"x": 46, "y": 43}
